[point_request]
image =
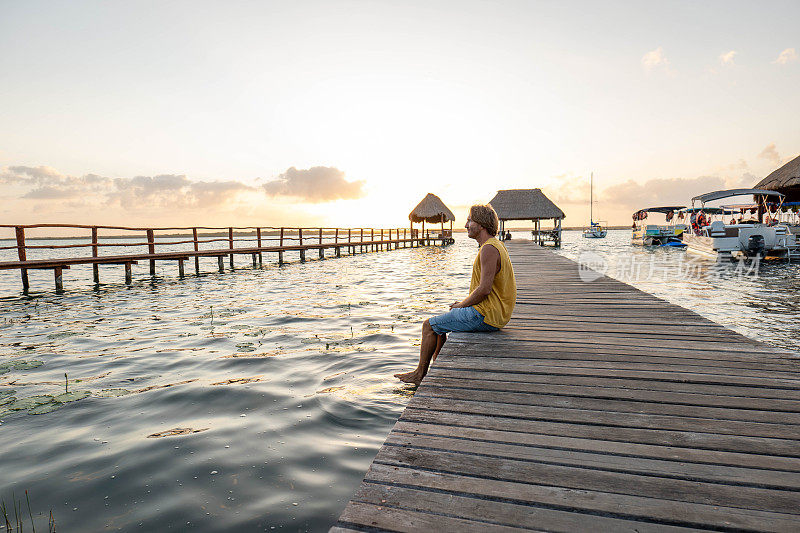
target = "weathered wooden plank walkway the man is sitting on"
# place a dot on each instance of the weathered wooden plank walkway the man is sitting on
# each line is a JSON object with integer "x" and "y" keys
{"x": 599, "y": 407}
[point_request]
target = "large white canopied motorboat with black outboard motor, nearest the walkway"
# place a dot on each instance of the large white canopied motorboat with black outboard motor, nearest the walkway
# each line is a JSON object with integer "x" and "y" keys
{"x": 761, "y": 236}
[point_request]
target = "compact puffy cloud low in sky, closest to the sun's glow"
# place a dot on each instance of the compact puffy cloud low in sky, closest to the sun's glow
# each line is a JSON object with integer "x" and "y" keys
{"x": 315, "y": 185}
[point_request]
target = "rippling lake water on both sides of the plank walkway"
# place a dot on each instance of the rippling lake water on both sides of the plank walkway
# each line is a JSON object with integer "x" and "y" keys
{"x": 257, "y": 399}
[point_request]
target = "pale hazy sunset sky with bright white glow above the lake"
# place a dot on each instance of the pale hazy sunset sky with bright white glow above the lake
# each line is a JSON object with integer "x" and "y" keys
{"x": 347, "y": 113}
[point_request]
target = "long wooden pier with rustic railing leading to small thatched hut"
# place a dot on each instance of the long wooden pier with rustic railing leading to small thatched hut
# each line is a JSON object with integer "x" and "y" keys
{"x": 253, "y": 241}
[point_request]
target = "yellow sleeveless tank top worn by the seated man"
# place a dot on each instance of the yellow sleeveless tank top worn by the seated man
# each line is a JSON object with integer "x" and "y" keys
{"x": 498, "y": 306}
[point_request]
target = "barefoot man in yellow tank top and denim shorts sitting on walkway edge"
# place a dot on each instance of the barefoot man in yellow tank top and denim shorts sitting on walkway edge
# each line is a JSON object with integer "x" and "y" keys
{"x": 493, "y": 291}
